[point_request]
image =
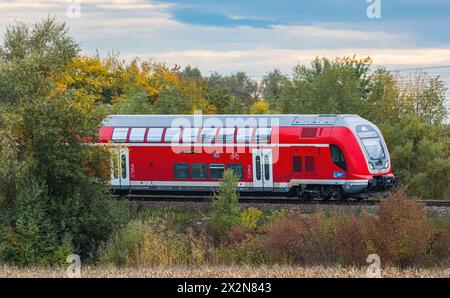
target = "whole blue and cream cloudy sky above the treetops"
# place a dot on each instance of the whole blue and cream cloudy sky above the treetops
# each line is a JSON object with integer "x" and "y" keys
{"x": 253, "y": 36}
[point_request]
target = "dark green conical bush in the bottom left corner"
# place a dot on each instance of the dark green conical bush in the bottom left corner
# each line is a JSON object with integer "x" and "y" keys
{"x": 29, "y": 237}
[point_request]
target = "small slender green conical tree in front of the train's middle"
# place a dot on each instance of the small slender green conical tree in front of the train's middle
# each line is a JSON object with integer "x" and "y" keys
{"x": 225, "y": 213}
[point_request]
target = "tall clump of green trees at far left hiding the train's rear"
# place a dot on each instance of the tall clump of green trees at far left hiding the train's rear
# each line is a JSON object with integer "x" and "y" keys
{"x": 56, "y": 197}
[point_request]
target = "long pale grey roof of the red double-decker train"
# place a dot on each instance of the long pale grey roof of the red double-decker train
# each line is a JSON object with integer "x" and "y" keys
{"x": 264, "y": 120}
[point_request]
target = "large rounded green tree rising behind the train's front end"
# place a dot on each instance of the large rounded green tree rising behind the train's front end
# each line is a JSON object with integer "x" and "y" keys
{"x": 327, "y": 87}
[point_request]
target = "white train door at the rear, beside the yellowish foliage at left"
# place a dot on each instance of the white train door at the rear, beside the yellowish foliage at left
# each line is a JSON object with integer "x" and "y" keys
{"x": 120, "y": 168}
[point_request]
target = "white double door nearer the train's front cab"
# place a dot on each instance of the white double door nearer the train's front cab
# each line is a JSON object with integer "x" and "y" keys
{"x": 262, "y": 169}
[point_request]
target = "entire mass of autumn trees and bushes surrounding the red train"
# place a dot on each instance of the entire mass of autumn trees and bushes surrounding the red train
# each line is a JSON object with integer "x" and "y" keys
{"x": 54, "y": 197}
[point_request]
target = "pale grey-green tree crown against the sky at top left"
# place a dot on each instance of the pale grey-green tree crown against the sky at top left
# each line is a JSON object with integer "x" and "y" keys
{"x": 30, "y": 55}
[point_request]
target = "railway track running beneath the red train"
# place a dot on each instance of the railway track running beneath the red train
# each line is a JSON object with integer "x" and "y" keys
{"x": 267, "y": 200}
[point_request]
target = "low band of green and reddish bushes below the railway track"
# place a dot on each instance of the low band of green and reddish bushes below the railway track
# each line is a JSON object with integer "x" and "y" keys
{"x": 401, "y": 234}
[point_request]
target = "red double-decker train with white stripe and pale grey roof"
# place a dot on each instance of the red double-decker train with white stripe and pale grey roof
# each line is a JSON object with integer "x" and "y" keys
{"x": 311, "y": 156}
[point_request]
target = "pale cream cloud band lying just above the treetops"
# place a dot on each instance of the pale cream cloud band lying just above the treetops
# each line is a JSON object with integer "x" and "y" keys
{"x": 260, "y": 61}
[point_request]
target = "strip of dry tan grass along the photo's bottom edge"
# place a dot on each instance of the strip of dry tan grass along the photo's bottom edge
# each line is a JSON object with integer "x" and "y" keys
{"x": 224, "y": 271}
